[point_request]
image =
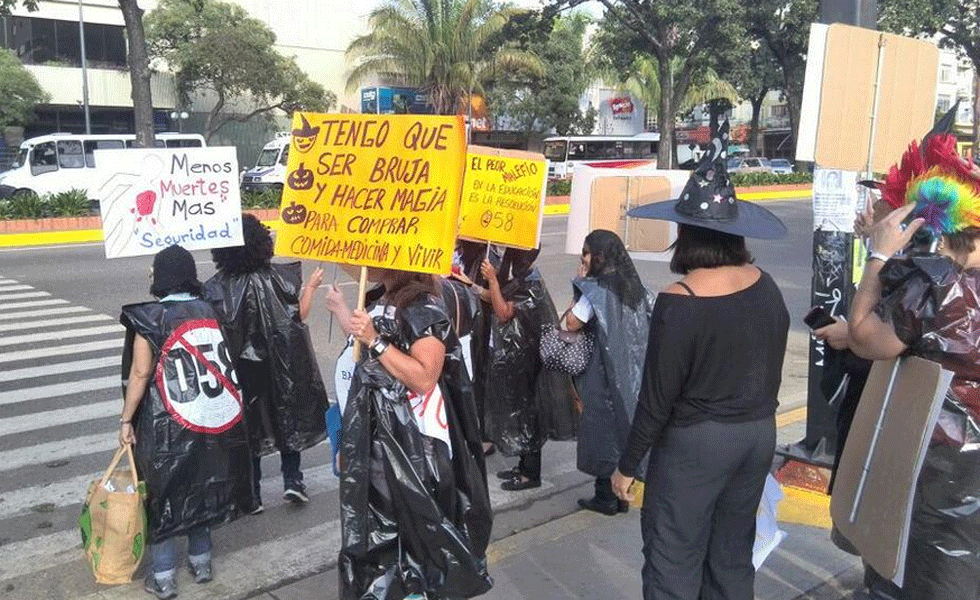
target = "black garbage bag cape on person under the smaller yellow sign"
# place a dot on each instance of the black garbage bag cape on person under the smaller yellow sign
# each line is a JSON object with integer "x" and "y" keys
{"x": 526, "y": 404}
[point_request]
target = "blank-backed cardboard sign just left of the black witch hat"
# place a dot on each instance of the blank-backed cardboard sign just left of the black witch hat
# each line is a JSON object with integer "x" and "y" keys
{"x": 602, "y": 195}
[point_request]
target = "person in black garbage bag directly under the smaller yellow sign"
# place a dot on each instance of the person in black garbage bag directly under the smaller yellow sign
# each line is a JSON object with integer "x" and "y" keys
{"x": 524, "y": 391}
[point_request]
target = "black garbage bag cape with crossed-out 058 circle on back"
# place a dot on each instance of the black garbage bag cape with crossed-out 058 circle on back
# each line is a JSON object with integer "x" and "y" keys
{"x": 191, "y": 440}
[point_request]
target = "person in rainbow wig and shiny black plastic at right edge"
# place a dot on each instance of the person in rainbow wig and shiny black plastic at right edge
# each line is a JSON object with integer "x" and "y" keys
{"x": 926, "y": 303}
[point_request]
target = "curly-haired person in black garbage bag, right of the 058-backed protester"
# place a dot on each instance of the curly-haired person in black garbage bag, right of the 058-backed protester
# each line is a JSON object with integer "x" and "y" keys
{"x": 263, "y": 307}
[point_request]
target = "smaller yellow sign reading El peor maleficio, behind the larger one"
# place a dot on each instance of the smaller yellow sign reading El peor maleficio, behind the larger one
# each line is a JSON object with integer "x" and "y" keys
{"x": 503, "y": 197}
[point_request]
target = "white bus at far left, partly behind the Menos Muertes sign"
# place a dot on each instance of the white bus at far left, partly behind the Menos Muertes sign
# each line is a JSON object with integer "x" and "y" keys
{"x": 61, "y": 162}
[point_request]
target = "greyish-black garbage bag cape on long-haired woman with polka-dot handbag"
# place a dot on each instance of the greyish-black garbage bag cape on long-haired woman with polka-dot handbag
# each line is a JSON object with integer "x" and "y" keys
{"x": 610, "y": 385}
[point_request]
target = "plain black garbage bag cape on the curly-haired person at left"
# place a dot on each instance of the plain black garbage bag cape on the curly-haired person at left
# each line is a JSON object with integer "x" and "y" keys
{"x": 284, "y": 392}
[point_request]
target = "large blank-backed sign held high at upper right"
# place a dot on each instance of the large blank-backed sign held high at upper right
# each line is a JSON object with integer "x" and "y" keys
{"x": 853, "y": 73}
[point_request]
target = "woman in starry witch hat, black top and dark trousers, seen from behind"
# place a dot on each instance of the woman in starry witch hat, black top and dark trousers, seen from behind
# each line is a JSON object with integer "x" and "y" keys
{"x": 707, "y": 405}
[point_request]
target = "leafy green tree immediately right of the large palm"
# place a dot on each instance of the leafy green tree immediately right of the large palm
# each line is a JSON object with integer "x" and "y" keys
{"x": 548, "y": 100}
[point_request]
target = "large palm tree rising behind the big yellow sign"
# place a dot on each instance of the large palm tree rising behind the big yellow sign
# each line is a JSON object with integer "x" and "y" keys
{"x": 446, "y": 48}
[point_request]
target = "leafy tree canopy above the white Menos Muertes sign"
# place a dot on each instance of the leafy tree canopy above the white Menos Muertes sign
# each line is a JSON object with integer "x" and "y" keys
{"x": 216, "y": 47}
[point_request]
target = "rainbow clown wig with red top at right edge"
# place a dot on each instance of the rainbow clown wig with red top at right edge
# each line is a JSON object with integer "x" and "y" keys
{"x": 944, "y": 187}
